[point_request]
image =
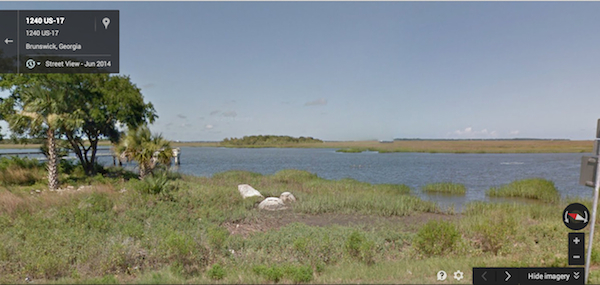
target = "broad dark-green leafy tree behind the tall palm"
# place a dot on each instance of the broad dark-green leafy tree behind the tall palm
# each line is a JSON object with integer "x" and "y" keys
{"x": 99, "y": 102}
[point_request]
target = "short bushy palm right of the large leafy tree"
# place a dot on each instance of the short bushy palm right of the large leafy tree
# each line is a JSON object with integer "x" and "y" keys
{"x": 147, "y": 149}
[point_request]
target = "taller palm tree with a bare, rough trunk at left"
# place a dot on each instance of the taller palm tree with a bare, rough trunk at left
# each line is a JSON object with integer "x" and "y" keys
{"x": 42, "y": 112}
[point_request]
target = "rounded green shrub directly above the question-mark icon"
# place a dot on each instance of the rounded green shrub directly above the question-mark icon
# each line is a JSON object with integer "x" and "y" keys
{"x": 436, "y": 238}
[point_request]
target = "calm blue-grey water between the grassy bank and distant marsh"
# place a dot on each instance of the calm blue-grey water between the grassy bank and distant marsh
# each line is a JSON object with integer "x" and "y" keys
{"x": 478, "y": 172}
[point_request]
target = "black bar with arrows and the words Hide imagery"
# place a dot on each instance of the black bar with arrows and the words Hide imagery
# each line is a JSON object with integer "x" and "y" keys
{"x": 528, "y": 275}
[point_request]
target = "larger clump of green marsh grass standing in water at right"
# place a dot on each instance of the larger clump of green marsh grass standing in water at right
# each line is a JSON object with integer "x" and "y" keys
{"x": 535, "y": 188}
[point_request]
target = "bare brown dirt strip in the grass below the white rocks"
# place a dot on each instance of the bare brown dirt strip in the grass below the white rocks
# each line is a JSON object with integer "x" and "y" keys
{"x": 278, "y": 219}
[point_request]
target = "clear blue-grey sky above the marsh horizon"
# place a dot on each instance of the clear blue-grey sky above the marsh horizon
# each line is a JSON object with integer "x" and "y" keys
{"x": 361, "y": 70}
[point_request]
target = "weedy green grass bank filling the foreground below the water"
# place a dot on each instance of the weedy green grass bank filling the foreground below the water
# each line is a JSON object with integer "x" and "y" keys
{"x": 113, "y": 228}
